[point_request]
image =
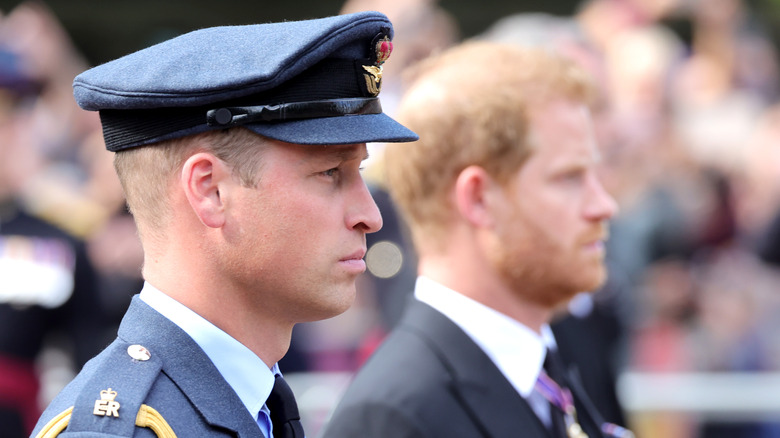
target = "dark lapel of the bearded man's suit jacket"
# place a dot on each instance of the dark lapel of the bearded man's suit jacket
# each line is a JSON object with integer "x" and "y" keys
{"x": 491, "y": 401}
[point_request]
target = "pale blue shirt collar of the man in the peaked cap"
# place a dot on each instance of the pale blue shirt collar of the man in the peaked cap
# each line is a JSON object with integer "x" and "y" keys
{"x": 243, "y": 370}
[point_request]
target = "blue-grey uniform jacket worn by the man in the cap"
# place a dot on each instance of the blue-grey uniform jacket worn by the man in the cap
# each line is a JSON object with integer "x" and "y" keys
{"x": 179, "y": 381}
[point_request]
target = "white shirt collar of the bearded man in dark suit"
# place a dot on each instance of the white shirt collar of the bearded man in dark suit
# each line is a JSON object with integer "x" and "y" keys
{"x": 516, "y": 350}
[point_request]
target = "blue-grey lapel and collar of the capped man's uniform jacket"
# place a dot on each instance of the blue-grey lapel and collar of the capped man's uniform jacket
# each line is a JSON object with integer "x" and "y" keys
{"x": 189, "y": 367}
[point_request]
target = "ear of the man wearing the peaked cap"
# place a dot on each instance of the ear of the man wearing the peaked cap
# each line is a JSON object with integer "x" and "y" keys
{"x": 201, "y": 178}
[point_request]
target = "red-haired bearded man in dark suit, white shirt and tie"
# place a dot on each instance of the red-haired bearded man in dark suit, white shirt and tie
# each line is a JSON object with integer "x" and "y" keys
{"x": 509, "y": 219}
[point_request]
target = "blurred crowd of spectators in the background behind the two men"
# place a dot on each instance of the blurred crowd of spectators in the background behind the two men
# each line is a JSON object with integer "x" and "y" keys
{"x": 689, "y": 128}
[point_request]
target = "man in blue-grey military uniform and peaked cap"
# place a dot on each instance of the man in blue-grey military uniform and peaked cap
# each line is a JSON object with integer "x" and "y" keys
{"x": 239, "y": 149}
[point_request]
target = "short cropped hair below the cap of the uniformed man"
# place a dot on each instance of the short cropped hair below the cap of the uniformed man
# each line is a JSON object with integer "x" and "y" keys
{"x": 146, "y": 172}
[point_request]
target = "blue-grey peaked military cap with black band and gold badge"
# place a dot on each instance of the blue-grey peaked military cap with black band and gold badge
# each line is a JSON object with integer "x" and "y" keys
{"x": 305, "y": 82}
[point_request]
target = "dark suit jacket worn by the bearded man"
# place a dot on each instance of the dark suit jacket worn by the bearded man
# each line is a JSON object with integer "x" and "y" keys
{"x": 429, "y": 379}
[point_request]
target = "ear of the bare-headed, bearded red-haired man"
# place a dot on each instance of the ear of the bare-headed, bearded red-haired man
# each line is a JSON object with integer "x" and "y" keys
{"x": 472, "y": 193}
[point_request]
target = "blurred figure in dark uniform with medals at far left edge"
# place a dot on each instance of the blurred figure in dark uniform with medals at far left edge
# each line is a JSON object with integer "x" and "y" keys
{"x": 47, "y": 283}
